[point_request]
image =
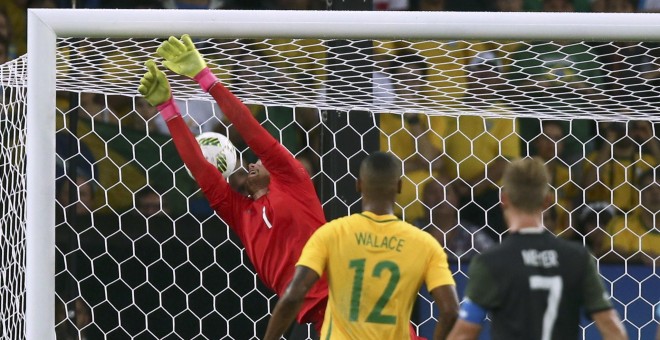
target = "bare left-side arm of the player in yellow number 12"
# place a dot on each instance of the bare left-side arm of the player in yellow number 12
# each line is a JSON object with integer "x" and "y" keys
{"x": 289, "y": 304}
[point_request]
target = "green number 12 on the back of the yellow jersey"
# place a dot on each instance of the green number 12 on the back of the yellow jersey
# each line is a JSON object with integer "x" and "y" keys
{"x": 376, "y": 315}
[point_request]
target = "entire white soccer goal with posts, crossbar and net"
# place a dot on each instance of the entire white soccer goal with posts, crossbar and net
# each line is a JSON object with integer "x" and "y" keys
{"x": 101, "y": 219}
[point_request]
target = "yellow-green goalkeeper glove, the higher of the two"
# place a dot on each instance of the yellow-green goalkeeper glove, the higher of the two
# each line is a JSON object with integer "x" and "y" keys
{"x": 181, "y": 56}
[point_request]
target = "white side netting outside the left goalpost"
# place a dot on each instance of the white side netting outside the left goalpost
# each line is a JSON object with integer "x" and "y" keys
{"x": 12, "y": 198}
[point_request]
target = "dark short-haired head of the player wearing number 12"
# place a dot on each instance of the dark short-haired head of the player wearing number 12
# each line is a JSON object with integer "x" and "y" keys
{"x": 380, "y": 173}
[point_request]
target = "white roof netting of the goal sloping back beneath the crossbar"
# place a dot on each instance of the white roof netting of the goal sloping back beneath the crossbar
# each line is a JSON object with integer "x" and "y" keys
{"x": 556, "y": 79}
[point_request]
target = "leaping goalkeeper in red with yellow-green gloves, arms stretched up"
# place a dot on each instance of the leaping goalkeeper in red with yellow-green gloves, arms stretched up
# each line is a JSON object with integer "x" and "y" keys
{"x": 282, "y": 210}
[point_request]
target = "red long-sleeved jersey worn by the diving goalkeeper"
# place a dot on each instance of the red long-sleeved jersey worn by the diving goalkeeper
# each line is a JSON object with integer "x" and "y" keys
{"x": 275, "y": 227}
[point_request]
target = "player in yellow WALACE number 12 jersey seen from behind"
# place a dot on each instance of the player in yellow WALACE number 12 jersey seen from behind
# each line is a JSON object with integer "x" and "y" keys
{"x": 375, "y": 265}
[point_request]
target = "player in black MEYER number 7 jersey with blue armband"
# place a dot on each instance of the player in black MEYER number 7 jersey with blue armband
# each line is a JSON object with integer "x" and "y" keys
{"x": 533, "y": 285}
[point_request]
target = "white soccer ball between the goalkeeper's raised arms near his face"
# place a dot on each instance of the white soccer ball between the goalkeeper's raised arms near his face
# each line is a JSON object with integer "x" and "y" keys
{"x": 219, "y": 151}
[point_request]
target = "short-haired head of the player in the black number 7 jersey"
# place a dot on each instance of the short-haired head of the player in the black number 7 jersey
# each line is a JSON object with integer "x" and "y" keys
{"x": 526, "y": 183}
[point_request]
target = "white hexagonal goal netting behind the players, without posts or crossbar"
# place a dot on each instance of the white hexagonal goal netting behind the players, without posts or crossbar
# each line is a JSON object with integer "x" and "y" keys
{"x": 139, "y": 253}
